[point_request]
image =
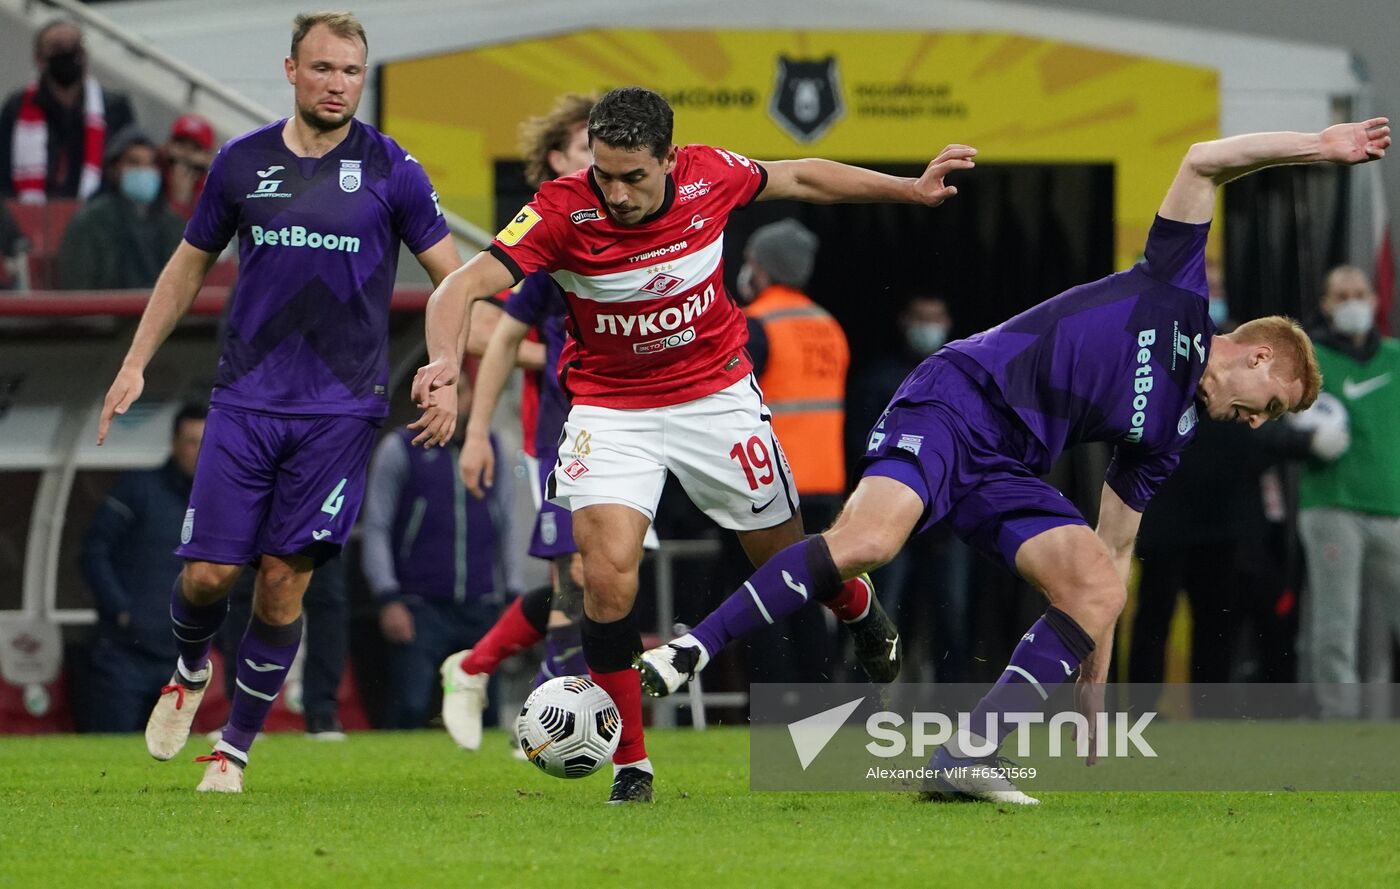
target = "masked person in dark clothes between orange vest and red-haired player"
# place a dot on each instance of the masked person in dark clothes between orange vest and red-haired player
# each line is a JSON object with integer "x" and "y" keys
{"x": 932, "y": 575}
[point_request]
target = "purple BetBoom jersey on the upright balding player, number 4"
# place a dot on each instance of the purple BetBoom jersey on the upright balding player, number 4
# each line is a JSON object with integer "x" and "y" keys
{"x": 318, "y": 250}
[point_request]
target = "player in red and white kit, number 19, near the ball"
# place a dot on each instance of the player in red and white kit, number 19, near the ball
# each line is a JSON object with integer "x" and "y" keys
{"x": 656, "y": 367}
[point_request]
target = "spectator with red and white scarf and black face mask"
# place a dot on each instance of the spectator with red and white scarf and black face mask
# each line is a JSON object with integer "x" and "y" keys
{"x": 54, "y": 132}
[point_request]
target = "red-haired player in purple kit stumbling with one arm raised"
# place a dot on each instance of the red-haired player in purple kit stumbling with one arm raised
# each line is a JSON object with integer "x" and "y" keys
{"x": 1129, "y": 360}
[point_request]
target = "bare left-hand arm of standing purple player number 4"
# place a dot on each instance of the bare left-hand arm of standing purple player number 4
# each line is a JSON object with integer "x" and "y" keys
{"x": 174, "y": 293}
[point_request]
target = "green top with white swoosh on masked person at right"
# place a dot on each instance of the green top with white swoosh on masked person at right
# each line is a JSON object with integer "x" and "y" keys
{"x": 1367, "y": 381}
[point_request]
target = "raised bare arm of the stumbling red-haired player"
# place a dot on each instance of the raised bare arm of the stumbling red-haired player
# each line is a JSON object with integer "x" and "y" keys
{"x": 1209, "y": 164}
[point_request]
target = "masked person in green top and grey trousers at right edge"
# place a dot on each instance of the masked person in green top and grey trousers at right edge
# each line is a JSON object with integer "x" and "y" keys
{"x": 1350, "y": 507}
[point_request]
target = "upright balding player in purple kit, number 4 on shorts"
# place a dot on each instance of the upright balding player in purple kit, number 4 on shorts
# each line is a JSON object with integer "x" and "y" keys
{"x": 320, "y": 204}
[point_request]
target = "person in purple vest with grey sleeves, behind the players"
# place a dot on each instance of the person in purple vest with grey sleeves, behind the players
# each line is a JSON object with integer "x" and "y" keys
{"x": 430, "y": 554}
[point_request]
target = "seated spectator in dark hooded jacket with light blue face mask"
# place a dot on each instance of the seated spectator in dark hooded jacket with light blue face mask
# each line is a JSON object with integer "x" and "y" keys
{"x": 122, "y": 239}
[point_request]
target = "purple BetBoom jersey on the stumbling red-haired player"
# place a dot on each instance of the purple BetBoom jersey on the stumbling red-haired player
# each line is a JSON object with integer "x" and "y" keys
{"x": 1116, "y": 360}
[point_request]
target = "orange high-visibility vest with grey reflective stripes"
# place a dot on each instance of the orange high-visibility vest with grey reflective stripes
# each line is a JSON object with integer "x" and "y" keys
{"x": 804, "y": 386}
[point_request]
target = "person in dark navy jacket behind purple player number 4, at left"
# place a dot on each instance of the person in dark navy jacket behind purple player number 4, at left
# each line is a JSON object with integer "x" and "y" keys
{"x": 128, "y": 559}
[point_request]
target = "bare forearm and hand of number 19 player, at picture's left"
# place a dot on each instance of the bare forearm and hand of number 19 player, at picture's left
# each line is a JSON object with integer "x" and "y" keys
{"x": 446, "y": 317}
